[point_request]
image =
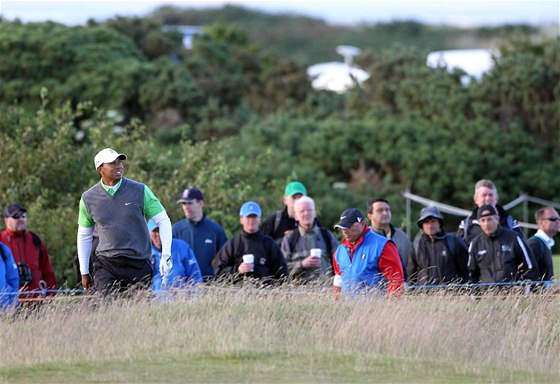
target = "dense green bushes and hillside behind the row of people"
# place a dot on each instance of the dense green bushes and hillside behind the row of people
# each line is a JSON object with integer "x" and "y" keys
{"x": 236, "y": 115}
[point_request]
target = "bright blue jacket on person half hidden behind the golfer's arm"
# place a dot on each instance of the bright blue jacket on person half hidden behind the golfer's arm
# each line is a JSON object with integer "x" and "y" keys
{"x": 185, "y": 271}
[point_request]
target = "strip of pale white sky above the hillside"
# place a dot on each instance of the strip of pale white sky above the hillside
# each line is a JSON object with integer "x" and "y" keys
{"x": 457, "y": 12}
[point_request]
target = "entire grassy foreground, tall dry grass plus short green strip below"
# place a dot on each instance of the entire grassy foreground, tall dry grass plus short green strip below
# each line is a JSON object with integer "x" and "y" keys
{"x": 283, "y": 335}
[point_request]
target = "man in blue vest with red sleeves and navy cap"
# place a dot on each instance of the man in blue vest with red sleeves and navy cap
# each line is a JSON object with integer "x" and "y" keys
{"x": 365, "y": 260}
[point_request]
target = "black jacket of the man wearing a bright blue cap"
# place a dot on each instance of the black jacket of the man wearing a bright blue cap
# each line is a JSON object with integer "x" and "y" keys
{"x": 269, "y": 260}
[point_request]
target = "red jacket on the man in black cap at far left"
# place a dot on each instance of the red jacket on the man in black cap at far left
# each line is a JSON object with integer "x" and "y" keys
{"x": 25, "y": 251}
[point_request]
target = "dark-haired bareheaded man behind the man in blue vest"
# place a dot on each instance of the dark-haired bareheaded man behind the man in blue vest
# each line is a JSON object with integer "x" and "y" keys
{"x": 379, "y": 213}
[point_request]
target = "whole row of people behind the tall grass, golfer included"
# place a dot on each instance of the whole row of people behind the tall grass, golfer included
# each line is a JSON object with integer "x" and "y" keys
{"x": 126, "y": 242}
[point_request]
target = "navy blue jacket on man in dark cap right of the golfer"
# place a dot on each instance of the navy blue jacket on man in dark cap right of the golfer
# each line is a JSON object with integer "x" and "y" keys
{"x": 205, "y": 238}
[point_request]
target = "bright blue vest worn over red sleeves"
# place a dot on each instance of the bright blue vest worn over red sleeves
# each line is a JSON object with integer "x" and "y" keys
{"x": 362, "y": 271}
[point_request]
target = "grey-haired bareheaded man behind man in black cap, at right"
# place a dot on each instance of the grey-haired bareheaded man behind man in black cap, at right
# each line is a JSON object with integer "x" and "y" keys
{"x": 485, "y": 192}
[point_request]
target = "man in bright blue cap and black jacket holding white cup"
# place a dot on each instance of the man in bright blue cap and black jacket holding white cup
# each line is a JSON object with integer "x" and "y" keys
{"x": 269, "y": 263}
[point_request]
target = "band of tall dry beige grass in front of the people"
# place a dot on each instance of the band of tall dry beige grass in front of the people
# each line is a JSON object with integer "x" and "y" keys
{"x": 508, "y": 331}
